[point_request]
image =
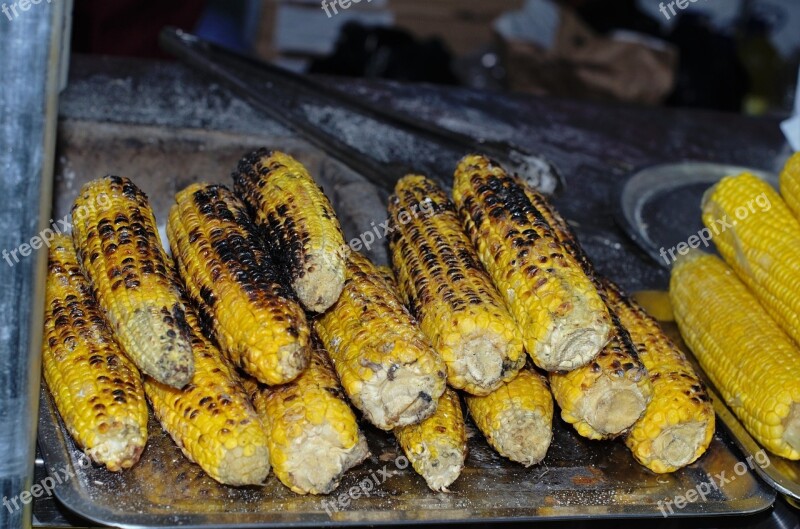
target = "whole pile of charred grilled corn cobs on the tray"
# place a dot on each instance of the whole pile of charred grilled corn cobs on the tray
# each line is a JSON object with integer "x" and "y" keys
{"x": 253, "y": 342}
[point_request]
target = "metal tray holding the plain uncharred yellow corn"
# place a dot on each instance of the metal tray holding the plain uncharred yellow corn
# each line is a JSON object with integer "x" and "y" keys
{"x": 659, "y": 207}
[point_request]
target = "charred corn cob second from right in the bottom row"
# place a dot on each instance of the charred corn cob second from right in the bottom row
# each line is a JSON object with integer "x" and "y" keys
{"x": 605, "y": 397}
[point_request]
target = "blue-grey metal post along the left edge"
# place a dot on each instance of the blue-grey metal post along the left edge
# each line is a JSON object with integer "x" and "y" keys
{"x": 30, "y": 60}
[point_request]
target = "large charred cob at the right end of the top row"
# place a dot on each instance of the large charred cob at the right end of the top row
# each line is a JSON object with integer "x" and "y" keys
{"x": 563, "y": 320}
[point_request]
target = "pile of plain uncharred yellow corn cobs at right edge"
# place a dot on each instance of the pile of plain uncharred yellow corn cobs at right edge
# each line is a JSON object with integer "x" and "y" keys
{"x": 742, "y": 319}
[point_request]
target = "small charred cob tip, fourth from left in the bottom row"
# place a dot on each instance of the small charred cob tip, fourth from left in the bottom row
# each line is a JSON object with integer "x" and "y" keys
{"x": 437, "y": 446}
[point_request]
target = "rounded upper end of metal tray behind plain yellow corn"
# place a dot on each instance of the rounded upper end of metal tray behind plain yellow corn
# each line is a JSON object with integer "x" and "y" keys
{"x": 659, "y": 206}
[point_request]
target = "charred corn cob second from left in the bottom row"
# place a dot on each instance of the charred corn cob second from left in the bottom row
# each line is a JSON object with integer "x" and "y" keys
{"x": 212, "y": 420}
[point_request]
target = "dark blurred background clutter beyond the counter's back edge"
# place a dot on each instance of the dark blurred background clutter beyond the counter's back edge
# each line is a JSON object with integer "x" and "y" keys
{"x": 731, "y": 55}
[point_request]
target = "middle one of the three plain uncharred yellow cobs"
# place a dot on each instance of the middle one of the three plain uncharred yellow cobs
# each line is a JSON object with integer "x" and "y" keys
{"x": 760, "y": 240}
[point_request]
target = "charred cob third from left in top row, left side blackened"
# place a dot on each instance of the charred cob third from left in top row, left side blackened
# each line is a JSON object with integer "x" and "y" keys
{"x": 299, "y": 221}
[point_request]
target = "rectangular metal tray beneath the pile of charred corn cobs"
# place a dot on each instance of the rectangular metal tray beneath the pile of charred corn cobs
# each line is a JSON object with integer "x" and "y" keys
{"x": 578, "y": 479}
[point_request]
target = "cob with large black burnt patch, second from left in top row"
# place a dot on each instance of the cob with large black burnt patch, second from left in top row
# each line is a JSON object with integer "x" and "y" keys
{"x": 255, "y": 319}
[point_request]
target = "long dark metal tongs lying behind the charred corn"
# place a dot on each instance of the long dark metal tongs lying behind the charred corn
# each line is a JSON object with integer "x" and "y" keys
{"x": 287, "y": 97}
